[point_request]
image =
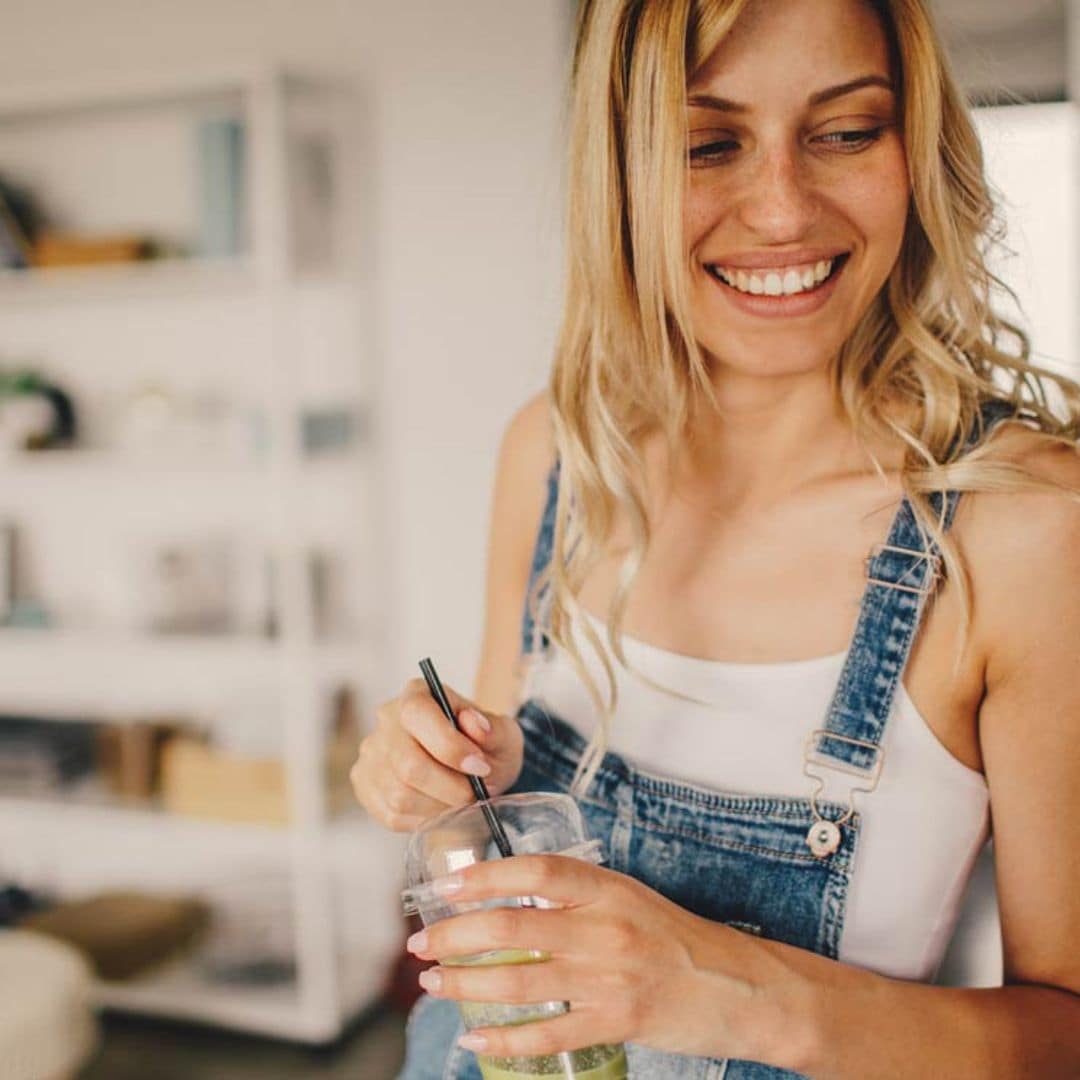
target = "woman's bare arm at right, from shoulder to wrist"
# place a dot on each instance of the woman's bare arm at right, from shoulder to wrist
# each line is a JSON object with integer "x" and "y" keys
{"x": 1024, "y": 552}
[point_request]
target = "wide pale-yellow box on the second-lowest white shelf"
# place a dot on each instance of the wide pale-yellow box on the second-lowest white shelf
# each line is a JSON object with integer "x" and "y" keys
{"x": 200, "y": 781}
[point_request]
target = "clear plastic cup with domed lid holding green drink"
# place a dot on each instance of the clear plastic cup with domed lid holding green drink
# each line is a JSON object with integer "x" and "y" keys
{"x": 534, "y": 823}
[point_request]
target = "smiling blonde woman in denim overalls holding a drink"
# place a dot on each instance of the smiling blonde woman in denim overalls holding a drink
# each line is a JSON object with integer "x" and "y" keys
{"x": 778, "y": 373}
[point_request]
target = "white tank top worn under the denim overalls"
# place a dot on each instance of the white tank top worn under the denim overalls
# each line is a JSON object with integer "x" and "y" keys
{"x": 923, "y": 828}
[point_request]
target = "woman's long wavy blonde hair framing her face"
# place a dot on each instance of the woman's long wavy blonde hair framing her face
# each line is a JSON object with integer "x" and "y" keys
{"x": 628, "y": 364}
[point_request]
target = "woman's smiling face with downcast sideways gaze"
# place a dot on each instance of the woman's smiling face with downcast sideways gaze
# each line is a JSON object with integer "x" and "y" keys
{"x": 796, "y": 171}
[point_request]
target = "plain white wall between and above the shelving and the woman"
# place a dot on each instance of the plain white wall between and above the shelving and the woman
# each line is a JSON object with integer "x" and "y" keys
{"x": 466, "y": 130}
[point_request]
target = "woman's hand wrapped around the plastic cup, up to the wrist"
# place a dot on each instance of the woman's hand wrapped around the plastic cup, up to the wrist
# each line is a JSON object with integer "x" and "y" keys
{"x": 631, "y": 964}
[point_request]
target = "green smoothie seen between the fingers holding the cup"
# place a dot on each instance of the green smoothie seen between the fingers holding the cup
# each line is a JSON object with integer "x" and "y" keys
{"x": 592, "y": 1063}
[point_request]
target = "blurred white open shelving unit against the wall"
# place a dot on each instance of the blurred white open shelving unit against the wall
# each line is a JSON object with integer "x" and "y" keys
{"x": 277, "y": 329}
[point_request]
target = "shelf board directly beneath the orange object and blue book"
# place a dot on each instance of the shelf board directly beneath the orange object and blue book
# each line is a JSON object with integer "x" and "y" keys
{"x": 158, "y": 277}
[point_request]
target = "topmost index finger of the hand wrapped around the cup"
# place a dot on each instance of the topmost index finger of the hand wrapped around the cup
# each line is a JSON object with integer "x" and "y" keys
{"x": 561, "y": 879}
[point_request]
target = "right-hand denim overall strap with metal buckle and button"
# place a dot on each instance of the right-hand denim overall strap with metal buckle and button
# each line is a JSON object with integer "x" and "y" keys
{"x": 900, "y": 575}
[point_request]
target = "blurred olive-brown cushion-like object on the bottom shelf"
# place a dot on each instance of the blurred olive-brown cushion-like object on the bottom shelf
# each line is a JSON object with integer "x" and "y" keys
{"x": 125, "y": 934}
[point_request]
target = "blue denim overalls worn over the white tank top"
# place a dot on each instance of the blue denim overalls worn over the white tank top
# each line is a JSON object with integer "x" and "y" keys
{"x": 775, "y": 867}
